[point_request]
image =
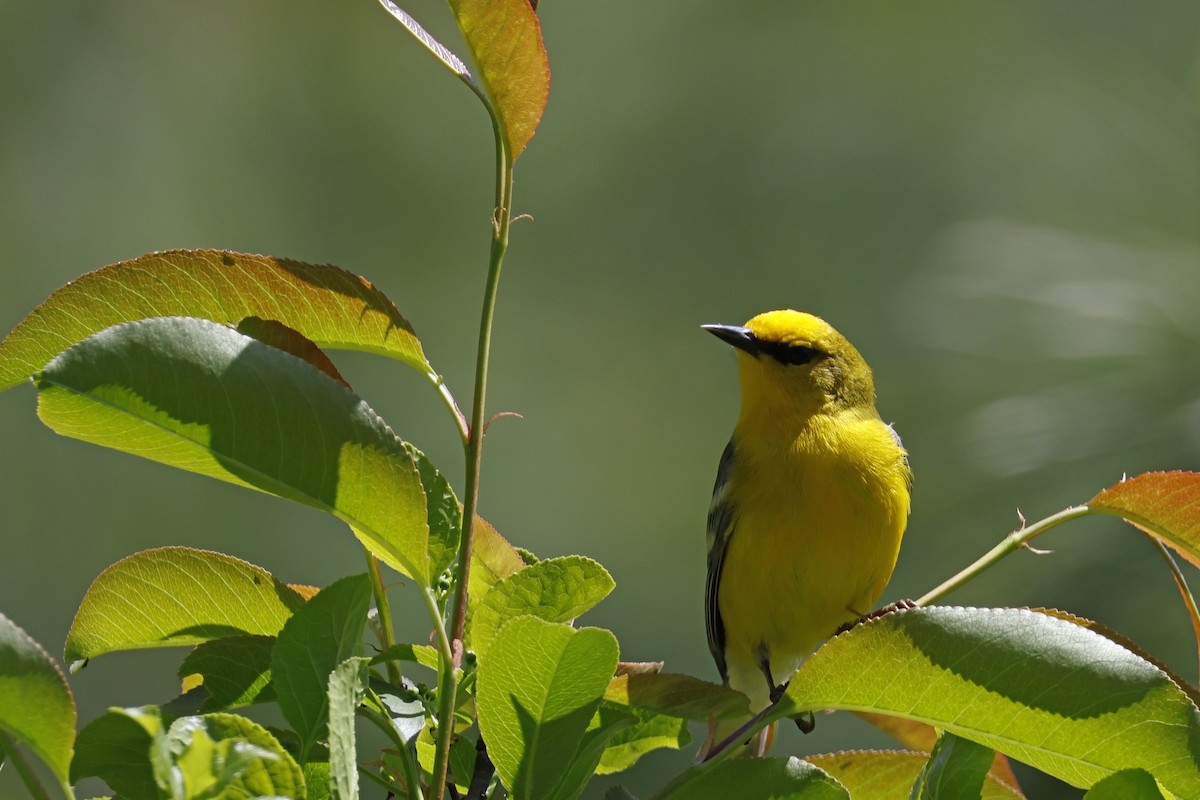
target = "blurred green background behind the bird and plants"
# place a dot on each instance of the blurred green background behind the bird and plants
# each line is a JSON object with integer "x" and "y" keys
{"x": 997, "y": 203}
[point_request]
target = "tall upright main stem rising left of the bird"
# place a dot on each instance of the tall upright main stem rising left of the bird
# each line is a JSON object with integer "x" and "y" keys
{"x": 475, "y": 448}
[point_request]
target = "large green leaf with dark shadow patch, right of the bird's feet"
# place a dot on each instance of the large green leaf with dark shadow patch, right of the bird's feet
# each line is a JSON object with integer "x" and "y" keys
{"x": 1051, "y": 694}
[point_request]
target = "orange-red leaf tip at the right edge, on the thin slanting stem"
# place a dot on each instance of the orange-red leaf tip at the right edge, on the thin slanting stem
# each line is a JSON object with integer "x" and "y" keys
{"x": 1166, "y": 506}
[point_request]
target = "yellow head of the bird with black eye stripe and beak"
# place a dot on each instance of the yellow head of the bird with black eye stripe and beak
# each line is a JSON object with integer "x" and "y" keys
{"x": 795, "y": 364}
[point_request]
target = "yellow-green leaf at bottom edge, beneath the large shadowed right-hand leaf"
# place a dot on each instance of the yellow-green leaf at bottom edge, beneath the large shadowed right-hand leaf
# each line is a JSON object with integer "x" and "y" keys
{"x": 889, "y": 775}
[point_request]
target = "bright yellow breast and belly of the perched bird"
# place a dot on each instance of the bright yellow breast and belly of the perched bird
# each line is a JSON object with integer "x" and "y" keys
{"x": 817, "y": 536}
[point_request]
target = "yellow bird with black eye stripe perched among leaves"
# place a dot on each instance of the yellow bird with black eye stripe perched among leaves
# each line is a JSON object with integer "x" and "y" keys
{"x": 811, "y": 504}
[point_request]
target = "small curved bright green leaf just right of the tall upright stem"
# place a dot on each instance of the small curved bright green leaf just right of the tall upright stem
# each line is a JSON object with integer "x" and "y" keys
{"x": 557, "y": 591}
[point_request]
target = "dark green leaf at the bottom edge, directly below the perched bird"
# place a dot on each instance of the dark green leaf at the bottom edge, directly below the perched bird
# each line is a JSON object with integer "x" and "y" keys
{"x": 764, "y": 779}
